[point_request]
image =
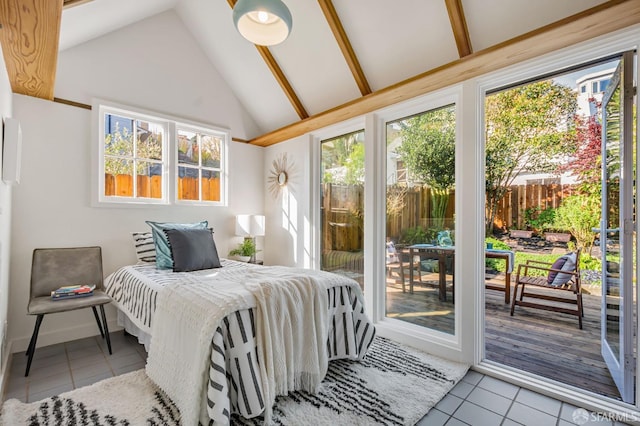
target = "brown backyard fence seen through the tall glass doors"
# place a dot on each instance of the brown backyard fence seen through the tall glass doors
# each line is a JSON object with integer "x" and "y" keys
{"x": 342, "y": 210}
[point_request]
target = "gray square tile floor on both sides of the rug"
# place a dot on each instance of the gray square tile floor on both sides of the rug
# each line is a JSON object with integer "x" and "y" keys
{"x": 477, "y": 400}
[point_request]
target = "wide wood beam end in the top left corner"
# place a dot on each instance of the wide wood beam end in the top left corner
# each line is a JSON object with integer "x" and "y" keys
{"x": 29, "y": 37}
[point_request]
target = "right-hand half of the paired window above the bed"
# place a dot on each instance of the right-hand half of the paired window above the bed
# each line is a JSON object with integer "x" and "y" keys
{"x": 199, "y": 154}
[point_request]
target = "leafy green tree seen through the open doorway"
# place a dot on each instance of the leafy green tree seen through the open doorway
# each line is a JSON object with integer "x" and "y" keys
{"x": 528, "y": 128}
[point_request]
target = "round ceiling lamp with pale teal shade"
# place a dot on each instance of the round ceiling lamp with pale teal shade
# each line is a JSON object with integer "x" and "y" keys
{"x": 262, "y": 22}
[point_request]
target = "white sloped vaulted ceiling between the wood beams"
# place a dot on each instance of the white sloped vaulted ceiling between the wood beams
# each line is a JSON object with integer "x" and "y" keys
{"x": 393, "y": 41}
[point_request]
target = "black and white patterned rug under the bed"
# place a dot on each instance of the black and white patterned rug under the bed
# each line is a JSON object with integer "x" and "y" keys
{"x": 394, "y": 385}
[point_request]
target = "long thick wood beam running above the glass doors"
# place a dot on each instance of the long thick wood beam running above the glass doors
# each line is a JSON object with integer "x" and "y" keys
{"x": 602, "y": 19}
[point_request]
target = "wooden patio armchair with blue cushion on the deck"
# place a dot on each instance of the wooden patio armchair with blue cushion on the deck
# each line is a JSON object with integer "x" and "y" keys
{"x": 561, "y": 277}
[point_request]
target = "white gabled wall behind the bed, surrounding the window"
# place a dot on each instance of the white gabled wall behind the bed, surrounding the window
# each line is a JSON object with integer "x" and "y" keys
{"x": 154, "y": 65}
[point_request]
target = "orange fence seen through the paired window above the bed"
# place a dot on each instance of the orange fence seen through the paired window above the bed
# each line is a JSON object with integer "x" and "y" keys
{"x": 151, "y": 187}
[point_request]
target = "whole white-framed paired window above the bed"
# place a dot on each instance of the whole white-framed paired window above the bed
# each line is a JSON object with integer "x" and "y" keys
{"x": 150, "y": 159}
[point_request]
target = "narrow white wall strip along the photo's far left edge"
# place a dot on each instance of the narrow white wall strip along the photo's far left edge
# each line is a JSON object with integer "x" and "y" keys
{"x": 5, "y": 220}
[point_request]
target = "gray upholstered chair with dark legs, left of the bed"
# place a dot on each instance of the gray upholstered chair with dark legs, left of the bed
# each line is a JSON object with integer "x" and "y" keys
{"x": 52, "y": 268}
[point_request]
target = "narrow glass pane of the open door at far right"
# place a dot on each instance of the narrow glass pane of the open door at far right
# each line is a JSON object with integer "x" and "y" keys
{"x": 611, "y": 243}
